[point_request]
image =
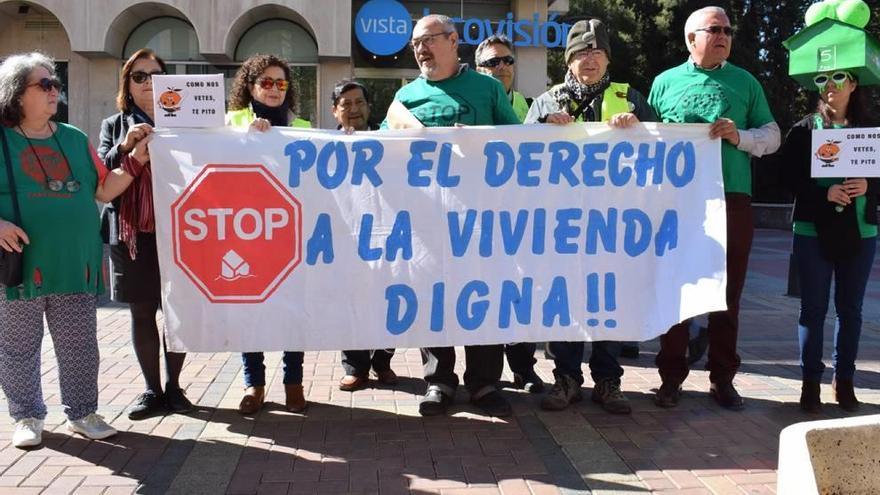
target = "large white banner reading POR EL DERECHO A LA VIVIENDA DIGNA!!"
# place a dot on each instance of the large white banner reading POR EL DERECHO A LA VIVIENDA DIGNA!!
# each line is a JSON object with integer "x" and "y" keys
{"x": 316, "y": 240}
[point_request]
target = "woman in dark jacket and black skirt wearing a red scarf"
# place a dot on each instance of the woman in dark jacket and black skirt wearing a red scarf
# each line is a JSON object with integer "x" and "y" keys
{"x": 134, "y": 263}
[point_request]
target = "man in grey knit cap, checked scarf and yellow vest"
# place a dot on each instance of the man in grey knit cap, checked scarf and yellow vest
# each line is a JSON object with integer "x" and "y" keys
{"x": 588, "y": 95}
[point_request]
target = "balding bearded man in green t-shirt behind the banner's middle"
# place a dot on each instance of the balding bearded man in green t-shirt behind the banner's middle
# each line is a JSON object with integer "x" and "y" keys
{"x": 448, "y": 94}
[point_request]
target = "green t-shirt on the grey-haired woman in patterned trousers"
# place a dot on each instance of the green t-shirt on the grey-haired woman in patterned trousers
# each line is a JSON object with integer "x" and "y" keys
{"x": 65, "y": 251}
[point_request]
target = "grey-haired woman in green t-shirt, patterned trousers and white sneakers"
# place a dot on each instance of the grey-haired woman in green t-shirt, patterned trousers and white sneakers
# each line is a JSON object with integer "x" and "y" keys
{"x": 50, "y": 178}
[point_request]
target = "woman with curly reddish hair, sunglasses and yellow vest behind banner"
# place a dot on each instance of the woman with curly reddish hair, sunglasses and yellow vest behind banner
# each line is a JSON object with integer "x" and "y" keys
{"x": 262, "y": 97}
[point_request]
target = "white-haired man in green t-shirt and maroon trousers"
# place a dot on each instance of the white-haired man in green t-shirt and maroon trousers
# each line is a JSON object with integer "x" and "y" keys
{"x": 708, "y": 89}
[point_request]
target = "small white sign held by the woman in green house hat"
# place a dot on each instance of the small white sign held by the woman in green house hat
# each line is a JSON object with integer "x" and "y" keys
{"x": 841, "y": 153}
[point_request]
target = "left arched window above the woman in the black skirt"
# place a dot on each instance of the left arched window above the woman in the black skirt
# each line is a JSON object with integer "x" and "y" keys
{"x": 173, "y": 40}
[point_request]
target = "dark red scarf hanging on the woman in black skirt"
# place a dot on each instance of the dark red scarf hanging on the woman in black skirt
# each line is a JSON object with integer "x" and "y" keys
{"x": 136, "y": 204}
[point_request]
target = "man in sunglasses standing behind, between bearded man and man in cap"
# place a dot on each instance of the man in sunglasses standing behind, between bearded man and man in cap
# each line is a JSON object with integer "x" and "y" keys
{"x": 494, "y": 57}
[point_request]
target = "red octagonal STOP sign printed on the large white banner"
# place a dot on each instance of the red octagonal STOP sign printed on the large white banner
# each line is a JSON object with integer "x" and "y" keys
{"x": 236, "y": 233}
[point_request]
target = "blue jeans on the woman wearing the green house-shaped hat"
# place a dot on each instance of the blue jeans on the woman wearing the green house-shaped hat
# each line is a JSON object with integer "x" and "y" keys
{"x": 850, "y": 279}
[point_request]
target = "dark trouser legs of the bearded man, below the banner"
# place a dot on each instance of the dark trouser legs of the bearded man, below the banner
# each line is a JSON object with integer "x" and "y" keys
{"x": 483, "y": 367}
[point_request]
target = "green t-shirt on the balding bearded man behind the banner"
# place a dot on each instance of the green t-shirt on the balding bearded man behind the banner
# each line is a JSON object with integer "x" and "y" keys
{"x": 468, "y": 98}
